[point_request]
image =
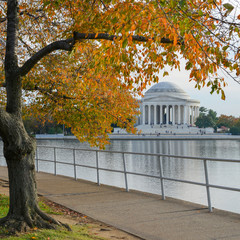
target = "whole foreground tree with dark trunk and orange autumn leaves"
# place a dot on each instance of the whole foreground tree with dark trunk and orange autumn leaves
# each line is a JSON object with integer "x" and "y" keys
{"x": 85, "y": 61}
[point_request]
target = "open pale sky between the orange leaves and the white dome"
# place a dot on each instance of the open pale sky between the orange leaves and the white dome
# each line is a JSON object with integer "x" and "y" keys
{"x": 229, "y": 106}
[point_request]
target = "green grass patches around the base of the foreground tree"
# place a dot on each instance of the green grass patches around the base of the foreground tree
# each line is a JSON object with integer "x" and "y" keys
{"x": 79, "y": 232}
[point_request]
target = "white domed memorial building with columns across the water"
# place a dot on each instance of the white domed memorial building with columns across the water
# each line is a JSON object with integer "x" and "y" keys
{"x": 167, "y": 104}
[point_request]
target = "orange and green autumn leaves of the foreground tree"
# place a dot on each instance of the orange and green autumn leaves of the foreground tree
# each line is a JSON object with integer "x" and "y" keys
{"x": 98, "y": 82}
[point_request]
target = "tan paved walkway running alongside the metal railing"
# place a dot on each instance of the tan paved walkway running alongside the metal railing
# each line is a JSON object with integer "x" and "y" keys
{"x": 144, "y": 215}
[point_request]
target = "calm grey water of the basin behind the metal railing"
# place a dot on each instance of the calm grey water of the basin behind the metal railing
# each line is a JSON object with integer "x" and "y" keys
{"x": 226, "y": 174}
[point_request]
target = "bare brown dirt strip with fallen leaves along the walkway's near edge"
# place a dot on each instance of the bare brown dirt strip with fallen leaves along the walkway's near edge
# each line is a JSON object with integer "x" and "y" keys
{"x": 71, "y": 217}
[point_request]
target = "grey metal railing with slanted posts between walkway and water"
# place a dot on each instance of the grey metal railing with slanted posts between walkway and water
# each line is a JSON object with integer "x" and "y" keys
{"x": 161, "y": 177}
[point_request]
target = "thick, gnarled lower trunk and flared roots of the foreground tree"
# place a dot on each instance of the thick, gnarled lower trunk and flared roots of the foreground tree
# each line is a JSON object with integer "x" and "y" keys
{"x": 19, "y": 151}
